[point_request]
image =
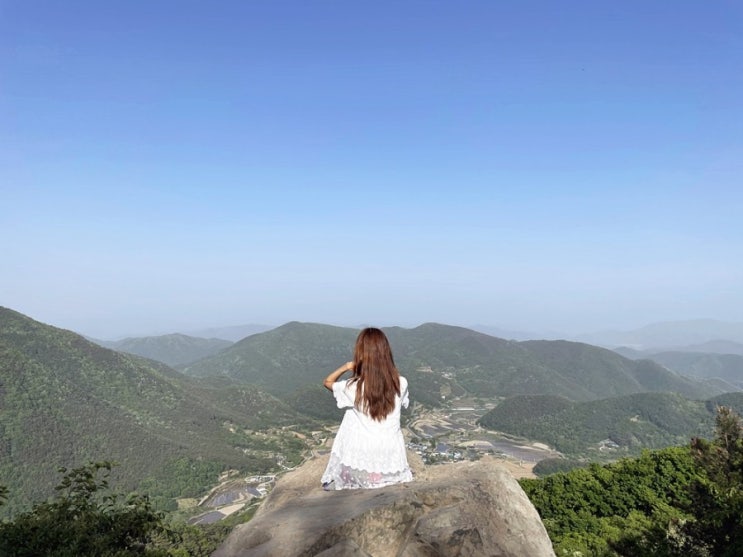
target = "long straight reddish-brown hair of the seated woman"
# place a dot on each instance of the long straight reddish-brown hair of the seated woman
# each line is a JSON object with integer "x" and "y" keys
{"x": 377, "y": 379}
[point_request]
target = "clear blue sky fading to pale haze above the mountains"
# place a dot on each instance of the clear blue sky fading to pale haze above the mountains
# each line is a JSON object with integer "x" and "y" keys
{"x": 174, "y": 165}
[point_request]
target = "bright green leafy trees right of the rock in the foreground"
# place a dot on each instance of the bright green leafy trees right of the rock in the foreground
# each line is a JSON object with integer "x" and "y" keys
{"x": 680, "y": 501}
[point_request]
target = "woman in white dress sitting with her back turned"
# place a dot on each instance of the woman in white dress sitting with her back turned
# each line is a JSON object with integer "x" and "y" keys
{"x": 369, "y": 449}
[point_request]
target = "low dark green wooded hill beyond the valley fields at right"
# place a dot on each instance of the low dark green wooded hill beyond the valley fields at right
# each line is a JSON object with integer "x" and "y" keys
{"x": 631, "y": 422}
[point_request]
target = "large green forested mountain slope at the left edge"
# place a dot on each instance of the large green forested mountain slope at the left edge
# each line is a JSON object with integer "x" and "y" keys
{"x": 65, "y": 401}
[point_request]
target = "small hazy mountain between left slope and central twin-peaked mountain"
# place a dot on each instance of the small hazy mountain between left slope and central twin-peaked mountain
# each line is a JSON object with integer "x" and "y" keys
{"x": 175, "y": 349}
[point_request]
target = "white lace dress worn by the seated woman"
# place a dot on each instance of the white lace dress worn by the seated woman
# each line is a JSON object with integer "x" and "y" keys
{"x": 367, "y": 453}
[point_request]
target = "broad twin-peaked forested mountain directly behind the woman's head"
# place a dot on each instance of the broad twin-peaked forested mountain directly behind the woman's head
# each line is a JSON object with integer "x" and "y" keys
{"x": 443, "y": 361}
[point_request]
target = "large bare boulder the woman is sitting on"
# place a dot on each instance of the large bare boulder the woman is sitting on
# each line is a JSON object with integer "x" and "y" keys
{"x": 464, "y": 509}
